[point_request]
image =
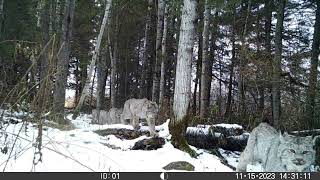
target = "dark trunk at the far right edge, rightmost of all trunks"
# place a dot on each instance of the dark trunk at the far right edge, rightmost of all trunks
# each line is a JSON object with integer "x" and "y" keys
{"x": 311, "y": 93}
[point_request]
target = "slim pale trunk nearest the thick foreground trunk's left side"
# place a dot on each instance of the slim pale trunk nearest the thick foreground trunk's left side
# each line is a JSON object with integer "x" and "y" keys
{"x": 163, "y": 56}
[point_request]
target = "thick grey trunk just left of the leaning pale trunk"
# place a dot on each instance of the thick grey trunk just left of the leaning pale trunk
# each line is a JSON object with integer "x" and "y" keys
{"x": 62, "y": 64}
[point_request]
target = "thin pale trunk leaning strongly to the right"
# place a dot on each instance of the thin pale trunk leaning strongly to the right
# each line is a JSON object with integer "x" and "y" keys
{"x": 95, "y": 56}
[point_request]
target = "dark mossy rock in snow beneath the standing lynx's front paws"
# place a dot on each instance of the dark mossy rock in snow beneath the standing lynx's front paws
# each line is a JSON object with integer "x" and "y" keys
{"x": 149, "y": 144}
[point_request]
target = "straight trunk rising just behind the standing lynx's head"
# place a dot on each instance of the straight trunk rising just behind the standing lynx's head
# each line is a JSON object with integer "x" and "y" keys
{"x": 156, "y": 72}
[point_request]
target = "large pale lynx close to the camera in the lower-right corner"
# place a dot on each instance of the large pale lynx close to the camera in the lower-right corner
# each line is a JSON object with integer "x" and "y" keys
{"x": 277, "y": 152}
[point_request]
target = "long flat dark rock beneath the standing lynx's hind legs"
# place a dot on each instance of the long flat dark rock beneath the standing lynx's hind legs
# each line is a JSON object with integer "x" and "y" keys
{"x": 122, "y": 133}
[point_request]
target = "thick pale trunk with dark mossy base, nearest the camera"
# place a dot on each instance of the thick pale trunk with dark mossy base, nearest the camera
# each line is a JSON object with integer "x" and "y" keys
{"x": 182, "y": 91}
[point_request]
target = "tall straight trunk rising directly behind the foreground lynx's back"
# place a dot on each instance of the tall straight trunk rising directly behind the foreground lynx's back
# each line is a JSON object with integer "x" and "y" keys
{"x": 276, "y": 70}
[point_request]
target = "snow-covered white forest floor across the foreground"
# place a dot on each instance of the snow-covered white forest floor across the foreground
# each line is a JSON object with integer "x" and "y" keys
{"x": 81, "y": 149}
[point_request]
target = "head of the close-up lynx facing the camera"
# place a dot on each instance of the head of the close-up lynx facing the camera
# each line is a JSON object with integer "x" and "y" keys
{"x": 296, "y": 153}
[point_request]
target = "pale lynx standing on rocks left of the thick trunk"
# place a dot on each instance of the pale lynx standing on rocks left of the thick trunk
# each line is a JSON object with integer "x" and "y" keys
{"x": 135, "y": 109}
